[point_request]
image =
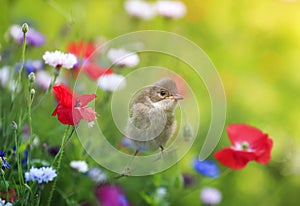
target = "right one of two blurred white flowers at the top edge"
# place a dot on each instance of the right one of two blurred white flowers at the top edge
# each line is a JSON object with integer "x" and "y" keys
{"x": 171, "y": 9}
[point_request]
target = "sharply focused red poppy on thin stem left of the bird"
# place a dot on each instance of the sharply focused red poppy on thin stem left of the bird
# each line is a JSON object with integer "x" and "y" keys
{"x": 72, "y": 108}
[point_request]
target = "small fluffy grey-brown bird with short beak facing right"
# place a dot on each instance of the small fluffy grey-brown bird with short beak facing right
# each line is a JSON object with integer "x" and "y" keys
{"x": 151, "y": 121}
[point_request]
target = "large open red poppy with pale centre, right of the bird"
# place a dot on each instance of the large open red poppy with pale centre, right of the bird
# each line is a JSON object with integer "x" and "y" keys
{"x": 249, "y": 144}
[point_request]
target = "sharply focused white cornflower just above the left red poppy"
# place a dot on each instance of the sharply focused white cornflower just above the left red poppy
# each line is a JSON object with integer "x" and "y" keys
{"x": 60, "y": 59}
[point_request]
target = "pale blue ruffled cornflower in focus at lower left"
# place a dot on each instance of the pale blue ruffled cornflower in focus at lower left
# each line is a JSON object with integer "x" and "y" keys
{"x": 43, "y": 174}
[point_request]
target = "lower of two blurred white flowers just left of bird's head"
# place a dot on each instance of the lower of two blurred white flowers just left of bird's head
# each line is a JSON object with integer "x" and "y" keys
{"x": 111, "y": 82}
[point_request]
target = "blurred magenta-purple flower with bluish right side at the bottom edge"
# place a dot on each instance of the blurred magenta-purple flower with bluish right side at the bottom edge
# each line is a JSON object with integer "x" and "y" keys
{"x": 110, "y": 195}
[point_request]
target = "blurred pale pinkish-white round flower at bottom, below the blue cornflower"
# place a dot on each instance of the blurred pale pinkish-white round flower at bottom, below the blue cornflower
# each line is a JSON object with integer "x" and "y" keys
{"x": 210, "y": 196}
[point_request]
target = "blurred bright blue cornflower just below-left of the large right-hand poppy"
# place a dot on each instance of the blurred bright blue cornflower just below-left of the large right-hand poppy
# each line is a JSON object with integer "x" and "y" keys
{"x": 206, "y": 168}
